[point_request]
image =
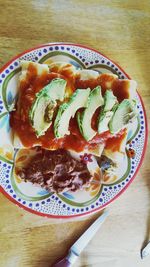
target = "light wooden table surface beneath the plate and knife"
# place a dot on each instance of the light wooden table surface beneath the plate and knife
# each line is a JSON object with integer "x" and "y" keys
{"x": 121, "y": 30}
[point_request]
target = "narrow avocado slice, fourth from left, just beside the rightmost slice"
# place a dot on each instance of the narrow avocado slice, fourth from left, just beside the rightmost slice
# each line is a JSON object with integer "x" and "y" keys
{"x": 110, "y": 105}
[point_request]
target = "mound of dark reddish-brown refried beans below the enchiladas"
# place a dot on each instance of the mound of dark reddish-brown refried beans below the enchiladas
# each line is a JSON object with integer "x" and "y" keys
{"x": 56, "y": 171}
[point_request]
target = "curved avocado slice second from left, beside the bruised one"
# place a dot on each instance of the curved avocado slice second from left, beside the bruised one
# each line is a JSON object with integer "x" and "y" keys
{"x": 67, "y": 111}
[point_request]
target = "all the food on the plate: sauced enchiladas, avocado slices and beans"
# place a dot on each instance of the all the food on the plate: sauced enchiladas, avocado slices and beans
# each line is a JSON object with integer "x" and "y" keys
{"x": 63, "y": 109}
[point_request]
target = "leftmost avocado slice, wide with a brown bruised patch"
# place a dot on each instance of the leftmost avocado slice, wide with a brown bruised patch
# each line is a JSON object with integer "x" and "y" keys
{"x": 42, "y": 110}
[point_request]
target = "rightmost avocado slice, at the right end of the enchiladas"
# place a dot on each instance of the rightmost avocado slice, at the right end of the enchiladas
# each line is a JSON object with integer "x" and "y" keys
{"x": 124, "y": 114}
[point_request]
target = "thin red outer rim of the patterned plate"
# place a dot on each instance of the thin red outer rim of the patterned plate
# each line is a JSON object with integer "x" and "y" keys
{"x": 143, "y": 152}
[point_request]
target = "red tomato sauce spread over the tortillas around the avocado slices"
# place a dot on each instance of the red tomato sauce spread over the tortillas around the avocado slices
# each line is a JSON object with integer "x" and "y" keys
{"x": 19, "y": 118}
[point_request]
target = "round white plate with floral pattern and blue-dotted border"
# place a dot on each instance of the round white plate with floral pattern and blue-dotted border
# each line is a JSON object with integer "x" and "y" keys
{"x": 67, "y": 204}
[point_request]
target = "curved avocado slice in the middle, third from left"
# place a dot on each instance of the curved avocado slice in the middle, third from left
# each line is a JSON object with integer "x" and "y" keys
{"x": 84, "y": 119}
